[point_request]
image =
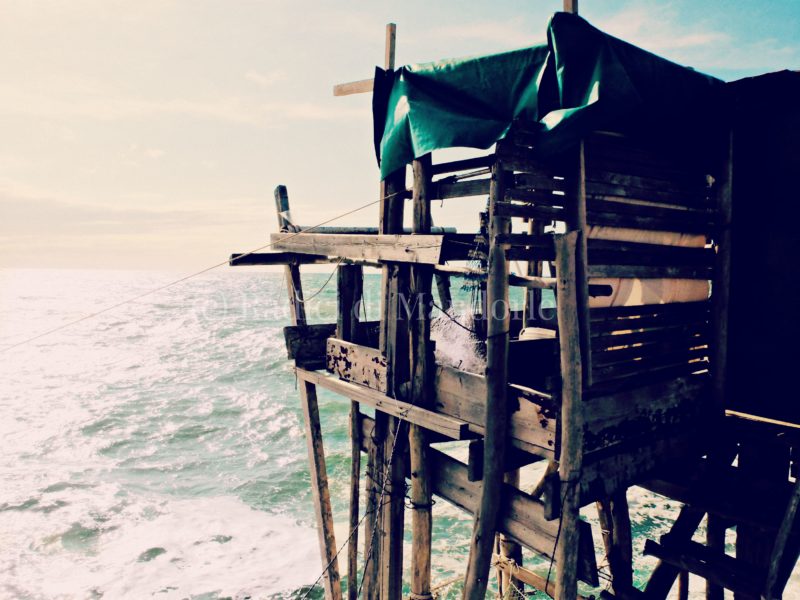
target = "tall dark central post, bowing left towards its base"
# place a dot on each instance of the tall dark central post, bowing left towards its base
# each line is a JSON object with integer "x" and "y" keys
{"x": 498, "y": 316}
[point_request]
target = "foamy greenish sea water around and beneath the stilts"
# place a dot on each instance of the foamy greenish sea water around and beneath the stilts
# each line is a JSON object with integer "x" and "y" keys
{"x": 158, "y": 450}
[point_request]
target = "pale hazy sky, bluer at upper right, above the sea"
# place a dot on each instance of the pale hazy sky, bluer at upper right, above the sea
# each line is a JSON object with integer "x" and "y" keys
{"x": 151, "y": 134}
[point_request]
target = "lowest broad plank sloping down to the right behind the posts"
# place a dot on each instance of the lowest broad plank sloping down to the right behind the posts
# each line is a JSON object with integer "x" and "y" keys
{"x": 522, "y": 516}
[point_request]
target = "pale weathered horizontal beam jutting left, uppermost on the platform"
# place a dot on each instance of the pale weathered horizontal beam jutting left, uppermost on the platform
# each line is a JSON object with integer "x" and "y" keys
{"x": 423, "y": 249}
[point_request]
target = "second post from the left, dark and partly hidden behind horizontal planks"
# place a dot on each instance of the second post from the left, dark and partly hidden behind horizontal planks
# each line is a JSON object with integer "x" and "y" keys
{"x": 350, "y": 282}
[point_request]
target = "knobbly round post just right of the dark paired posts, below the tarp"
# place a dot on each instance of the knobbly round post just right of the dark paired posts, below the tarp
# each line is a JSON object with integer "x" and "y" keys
{"x": 421, "y": 367}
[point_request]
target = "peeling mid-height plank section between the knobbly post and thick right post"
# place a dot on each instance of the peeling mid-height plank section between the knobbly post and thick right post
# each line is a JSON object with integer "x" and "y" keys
{"x": 532, "y": 426}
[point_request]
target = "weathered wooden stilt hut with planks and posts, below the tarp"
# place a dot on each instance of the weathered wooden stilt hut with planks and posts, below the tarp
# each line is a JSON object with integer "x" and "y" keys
{"x": 610, "y": 393}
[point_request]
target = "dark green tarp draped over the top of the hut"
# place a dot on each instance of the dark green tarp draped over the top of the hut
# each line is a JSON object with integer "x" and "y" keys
{"x": 582, "y": 79}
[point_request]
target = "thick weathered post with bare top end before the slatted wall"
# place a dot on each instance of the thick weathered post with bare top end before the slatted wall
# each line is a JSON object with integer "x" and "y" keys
{"x": 571, "y": 418}
